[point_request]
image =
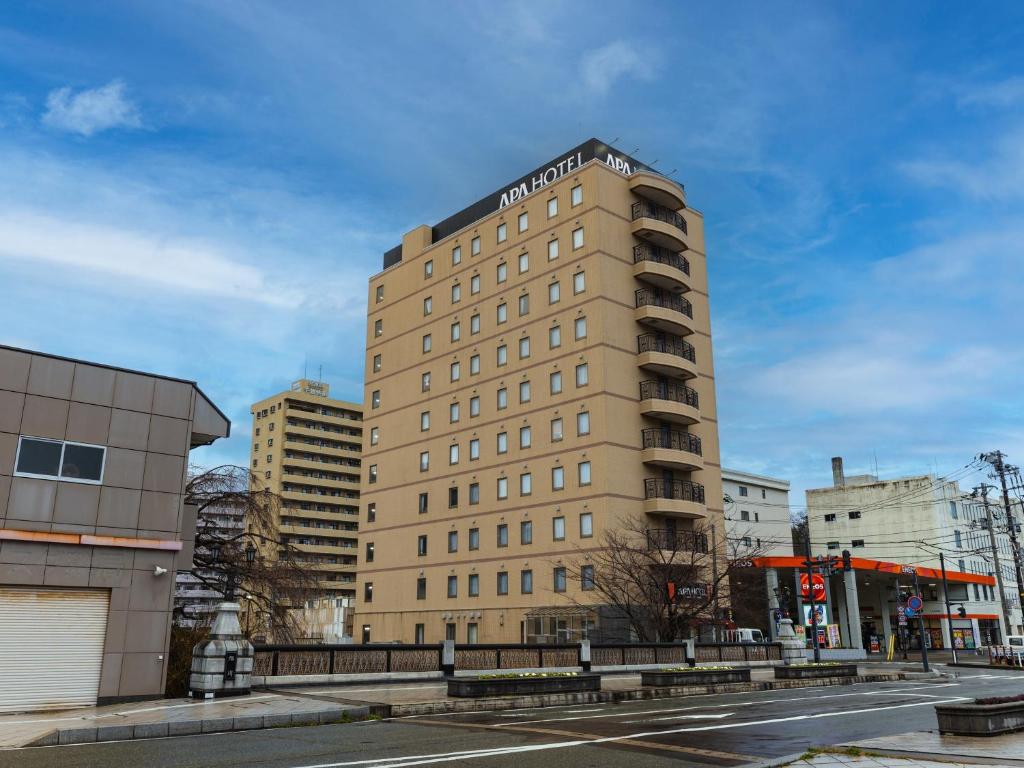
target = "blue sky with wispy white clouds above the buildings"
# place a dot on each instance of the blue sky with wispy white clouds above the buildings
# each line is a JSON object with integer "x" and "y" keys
{"x": 862, "y": 173}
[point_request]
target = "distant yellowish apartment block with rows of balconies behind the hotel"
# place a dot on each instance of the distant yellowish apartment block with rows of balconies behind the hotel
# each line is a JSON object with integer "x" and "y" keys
{"x": 307, "y": 448}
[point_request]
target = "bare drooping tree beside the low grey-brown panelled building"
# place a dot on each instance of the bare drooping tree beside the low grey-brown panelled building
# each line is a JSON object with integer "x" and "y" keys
{"x": 254, "y": 563}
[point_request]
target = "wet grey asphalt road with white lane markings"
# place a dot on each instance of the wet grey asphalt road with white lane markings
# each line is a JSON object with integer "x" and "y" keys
{"x": 711, "y": 731}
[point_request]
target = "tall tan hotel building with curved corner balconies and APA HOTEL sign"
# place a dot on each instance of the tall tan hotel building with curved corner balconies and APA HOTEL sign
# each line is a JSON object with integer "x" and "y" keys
{"x": 539, "y": 369}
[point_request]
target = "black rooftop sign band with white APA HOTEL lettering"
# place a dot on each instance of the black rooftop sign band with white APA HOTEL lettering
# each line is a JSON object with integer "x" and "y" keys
{"x": 536, "y": 180}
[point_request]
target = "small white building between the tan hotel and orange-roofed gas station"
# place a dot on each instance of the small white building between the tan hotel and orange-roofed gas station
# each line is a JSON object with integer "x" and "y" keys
{"x": 757, "y": 513}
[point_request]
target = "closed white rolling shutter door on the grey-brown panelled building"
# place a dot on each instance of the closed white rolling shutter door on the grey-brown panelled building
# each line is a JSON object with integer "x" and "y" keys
{"x": 52, "y": 647}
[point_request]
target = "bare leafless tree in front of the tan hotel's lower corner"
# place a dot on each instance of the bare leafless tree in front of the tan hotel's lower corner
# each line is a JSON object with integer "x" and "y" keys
{"x": 663, "y": 583}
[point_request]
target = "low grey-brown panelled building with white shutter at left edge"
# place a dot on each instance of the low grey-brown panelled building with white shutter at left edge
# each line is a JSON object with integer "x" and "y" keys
{"x": 94, "y": 526}
